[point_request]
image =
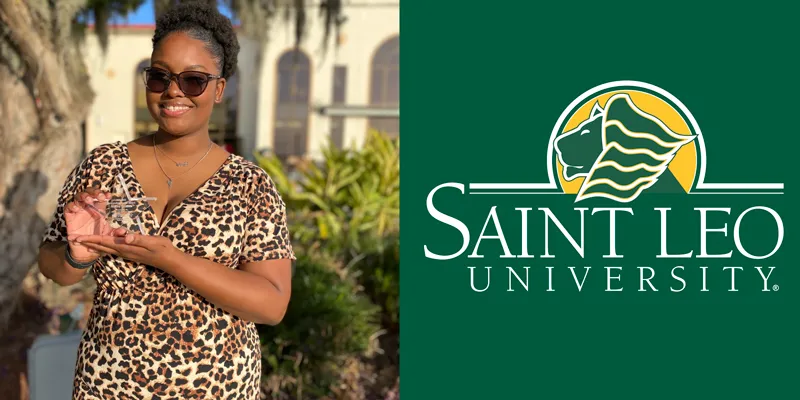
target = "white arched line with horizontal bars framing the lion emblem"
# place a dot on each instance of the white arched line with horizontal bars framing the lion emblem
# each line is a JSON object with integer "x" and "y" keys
{"x": 701, "y": 184}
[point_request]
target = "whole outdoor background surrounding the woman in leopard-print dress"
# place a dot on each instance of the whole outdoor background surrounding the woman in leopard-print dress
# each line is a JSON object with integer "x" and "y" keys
{"x": 320, "y": 116}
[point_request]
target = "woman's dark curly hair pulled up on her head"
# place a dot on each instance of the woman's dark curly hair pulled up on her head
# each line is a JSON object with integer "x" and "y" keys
{"x": 203, "y": 22}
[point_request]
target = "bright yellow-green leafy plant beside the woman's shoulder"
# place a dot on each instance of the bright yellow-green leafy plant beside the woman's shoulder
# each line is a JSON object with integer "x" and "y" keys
{"x": 346, "y": 201}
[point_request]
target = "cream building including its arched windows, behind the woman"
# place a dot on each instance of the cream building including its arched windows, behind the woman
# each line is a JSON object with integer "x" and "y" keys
{"x": 281, "y": 100}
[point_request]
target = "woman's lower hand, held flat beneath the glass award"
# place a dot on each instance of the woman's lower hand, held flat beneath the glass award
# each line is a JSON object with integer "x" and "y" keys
{"x": 157, "y": 251}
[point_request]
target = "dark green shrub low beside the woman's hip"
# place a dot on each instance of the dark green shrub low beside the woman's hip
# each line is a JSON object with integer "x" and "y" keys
{"x": 329, "y": 320}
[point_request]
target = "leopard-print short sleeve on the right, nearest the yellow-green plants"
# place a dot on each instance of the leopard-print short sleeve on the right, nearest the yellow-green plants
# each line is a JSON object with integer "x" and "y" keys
{"x": 266, "y": 234}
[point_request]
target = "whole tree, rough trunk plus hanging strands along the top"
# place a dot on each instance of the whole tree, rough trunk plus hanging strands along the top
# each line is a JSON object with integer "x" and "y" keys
{"x": 45, "y": 97}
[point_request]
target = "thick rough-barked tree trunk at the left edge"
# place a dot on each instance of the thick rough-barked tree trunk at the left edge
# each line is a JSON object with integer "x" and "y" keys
{"x": 45, "y": 97}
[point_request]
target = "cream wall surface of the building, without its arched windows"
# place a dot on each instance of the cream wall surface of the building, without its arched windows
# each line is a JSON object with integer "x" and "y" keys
{"x": 369, "y": 24}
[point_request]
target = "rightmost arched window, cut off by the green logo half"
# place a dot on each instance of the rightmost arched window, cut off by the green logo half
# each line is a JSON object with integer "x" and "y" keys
{"x": 385, "y": 85}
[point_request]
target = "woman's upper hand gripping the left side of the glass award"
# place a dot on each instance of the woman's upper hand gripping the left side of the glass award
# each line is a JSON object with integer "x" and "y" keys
{"x": 81, "y": 219}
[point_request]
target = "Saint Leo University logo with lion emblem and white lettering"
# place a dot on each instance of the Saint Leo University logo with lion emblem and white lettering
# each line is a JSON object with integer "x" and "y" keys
{"x": 620, "y": 141}
